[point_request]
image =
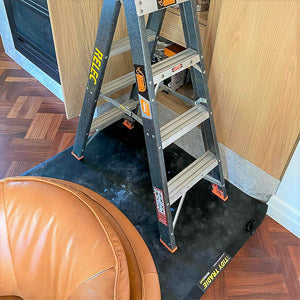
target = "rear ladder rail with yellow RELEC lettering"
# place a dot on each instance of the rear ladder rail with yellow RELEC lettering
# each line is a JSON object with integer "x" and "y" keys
{"x": 106, "y": 29}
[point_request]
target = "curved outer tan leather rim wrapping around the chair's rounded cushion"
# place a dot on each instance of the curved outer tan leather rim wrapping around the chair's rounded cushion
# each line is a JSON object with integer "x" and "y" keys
{"x": 144, "y": 282}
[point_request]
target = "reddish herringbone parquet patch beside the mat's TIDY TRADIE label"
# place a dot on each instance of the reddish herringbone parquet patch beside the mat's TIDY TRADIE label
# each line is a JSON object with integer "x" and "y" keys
{"x": 267, "y": 267}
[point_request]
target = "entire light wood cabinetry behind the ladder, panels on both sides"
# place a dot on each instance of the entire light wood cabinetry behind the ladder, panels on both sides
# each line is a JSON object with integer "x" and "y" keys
{"x": 252, "y": 57}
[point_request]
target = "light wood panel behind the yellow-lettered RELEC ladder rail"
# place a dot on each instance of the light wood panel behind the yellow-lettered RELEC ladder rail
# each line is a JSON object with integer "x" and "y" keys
{"x": 74, "y": 25}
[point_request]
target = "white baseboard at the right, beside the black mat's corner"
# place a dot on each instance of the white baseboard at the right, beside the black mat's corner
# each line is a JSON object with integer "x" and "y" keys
{"x": 284, "y": 214}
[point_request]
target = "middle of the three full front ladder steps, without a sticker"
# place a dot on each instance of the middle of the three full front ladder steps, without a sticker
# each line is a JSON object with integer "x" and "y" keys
{"x": 183, "y": 124}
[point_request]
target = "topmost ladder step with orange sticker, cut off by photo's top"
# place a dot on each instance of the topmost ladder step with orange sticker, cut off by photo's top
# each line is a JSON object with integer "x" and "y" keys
{"x": 149, "y": 6}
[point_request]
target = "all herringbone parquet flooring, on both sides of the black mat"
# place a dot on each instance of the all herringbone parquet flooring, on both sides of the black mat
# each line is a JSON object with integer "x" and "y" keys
{"x": 33, "y": 127}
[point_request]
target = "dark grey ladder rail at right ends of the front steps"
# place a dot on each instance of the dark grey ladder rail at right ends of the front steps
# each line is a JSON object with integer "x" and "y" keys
{"x": 193, "y": 40}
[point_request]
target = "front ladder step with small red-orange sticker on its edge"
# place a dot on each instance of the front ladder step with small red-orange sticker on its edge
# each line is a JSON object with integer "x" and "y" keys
{"x": 174, "y": 64}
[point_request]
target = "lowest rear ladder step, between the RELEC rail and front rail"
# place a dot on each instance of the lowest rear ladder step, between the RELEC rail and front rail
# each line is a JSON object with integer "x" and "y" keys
{"x": 108, "y": 118}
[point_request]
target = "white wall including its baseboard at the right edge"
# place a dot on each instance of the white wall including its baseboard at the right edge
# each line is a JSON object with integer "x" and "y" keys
{"x": 284, "y": 207}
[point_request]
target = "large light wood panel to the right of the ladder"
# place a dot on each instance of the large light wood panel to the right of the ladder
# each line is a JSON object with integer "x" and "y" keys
{"x": 254, "y": 80}
